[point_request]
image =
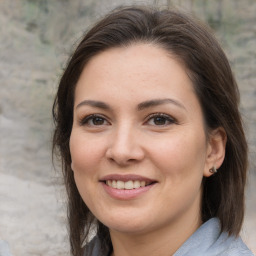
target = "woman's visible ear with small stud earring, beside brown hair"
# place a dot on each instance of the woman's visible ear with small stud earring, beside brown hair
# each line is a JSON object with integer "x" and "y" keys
{"x": 215, "y": 150}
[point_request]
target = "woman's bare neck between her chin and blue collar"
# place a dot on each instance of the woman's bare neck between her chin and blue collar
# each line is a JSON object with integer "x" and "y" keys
{"x": 165, "y": 241}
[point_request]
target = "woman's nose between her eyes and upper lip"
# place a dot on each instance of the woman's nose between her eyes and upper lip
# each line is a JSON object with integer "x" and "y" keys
{"x": 125, "y": 146}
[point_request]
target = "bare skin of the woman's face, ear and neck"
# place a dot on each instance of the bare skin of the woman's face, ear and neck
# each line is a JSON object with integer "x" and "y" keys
{"x": 173, "y": 151}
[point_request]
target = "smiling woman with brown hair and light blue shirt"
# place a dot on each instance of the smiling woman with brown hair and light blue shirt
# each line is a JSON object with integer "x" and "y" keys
{"x": 152, "y": 145}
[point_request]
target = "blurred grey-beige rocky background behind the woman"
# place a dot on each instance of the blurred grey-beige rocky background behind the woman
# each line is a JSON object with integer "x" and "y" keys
{"x": 36, "y": 39}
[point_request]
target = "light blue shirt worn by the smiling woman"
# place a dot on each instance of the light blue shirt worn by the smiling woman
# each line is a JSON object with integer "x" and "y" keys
{"x": 206, "y": 241}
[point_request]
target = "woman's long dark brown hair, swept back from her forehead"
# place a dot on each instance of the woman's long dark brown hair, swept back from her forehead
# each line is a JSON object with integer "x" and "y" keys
{"x": 191, "y": 43}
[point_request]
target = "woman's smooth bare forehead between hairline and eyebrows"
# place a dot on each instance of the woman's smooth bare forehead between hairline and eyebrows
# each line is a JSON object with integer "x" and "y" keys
{"x": 135, "y": 67}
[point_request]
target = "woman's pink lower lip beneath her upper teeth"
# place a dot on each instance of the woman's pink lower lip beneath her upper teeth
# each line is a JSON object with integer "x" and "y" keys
{"x": 126, "y": 194}
